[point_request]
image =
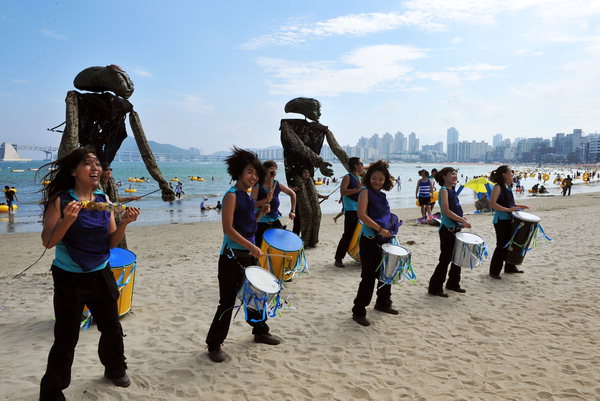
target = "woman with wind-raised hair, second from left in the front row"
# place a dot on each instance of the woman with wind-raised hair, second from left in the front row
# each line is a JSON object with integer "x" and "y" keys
{"x": 239, "y": 220}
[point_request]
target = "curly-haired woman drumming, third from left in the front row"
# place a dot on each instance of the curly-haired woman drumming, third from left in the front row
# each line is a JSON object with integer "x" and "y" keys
{"x": 374, "y": 211}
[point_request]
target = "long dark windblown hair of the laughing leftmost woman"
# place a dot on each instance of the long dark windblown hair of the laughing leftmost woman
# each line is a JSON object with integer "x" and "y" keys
{"x": 59, "y": 176}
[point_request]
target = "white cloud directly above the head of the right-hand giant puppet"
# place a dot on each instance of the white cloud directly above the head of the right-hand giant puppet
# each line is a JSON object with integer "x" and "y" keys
{"x": 363, "y": 70}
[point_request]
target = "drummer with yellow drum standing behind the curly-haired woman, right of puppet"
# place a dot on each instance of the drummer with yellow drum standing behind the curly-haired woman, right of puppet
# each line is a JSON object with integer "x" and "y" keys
{"x": 349, "y": 189}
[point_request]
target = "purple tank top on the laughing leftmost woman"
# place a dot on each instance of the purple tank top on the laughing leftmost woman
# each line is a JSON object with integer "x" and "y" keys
{"x": 87, "y": 238}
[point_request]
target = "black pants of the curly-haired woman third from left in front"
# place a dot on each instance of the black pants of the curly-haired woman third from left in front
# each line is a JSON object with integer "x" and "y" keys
{"x": 370, "y": 257}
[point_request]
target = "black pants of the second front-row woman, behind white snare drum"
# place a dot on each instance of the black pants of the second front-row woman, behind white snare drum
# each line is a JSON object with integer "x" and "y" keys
{"x": 231, "y": 278}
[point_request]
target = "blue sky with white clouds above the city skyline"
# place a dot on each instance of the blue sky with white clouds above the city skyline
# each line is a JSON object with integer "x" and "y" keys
{"x": 216, "y": 74}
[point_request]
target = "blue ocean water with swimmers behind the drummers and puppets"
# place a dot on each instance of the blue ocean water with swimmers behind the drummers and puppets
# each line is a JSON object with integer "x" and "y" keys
{"x": 217, "y": 182}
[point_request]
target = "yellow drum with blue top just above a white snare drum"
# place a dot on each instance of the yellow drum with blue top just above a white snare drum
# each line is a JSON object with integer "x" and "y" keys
{"x": 284, "y": 253}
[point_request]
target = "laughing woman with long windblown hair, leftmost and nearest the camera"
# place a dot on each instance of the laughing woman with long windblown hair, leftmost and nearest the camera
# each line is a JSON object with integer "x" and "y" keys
{"x": 80, "y": 269}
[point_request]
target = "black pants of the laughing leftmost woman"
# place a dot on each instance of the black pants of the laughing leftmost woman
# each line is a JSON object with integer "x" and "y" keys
{"x": 97, "y": 290}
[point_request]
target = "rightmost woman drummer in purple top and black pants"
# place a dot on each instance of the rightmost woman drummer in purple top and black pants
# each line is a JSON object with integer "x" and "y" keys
{"x": 503, "y": 203}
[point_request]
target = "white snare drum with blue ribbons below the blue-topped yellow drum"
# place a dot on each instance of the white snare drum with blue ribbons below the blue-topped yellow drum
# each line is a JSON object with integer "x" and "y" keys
{"x": 260, "y": 291}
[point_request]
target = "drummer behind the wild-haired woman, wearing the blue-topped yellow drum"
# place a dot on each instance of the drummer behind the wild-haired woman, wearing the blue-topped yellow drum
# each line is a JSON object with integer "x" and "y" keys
{"x": 269, "y": 193}
